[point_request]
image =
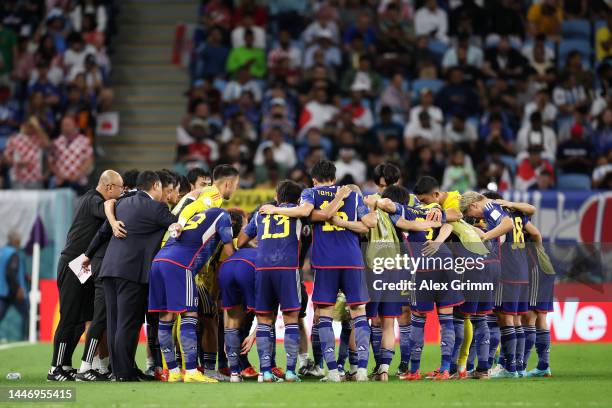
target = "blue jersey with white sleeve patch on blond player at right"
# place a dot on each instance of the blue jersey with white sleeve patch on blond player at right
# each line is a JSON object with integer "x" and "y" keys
{"x": 513, "y": 254}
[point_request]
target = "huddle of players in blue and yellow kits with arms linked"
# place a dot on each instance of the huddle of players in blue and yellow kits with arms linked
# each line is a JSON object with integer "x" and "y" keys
{"x": 250, "y": 268}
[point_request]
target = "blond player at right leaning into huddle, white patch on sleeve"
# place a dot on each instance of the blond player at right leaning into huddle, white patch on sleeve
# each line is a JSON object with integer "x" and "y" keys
{"x": 512, "y": 298}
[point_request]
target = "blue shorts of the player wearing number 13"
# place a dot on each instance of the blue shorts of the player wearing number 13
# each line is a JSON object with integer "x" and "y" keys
{"x": 278, "y": 287}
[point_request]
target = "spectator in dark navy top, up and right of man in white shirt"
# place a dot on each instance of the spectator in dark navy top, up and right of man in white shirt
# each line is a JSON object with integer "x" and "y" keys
{"x": 456, "y": 96}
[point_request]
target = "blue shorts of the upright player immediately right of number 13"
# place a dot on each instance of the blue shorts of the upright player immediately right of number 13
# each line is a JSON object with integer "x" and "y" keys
{"x": 351, "y": 282}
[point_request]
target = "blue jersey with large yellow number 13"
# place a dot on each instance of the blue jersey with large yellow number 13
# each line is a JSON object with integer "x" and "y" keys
{"x": 278, "y": 240}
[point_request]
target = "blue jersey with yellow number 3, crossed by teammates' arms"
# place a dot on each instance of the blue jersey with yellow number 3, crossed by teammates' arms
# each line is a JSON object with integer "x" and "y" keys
{"x": 416, "y": 238}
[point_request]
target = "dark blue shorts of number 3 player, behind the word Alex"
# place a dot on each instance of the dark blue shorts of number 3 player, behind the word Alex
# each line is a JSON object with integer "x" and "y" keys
{"x": 426, "y": 299}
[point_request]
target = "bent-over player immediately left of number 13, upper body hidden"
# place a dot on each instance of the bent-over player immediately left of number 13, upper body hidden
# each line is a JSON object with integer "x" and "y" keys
{"x": 237, "y": 285}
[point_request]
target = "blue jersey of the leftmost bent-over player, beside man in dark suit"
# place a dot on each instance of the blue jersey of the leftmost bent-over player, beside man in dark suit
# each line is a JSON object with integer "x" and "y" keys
{"x": 199, "y": 240}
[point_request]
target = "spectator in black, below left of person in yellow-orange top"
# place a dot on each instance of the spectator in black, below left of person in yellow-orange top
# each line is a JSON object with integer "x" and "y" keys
{"x": 504, "y": 61}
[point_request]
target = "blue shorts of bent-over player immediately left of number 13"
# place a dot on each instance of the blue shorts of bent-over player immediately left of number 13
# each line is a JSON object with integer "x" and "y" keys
{"x": 237, "y": 284}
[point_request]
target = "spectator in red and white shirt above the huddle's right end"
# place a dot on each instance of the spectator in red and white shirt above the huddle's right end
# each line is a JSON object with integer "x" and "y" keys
{"x": 534, "y": 171}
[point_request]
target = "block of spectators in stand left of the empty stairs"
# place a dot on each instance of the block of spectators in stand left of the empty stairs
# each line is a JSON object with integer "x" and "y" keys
{"x": 54, "y": 70}
